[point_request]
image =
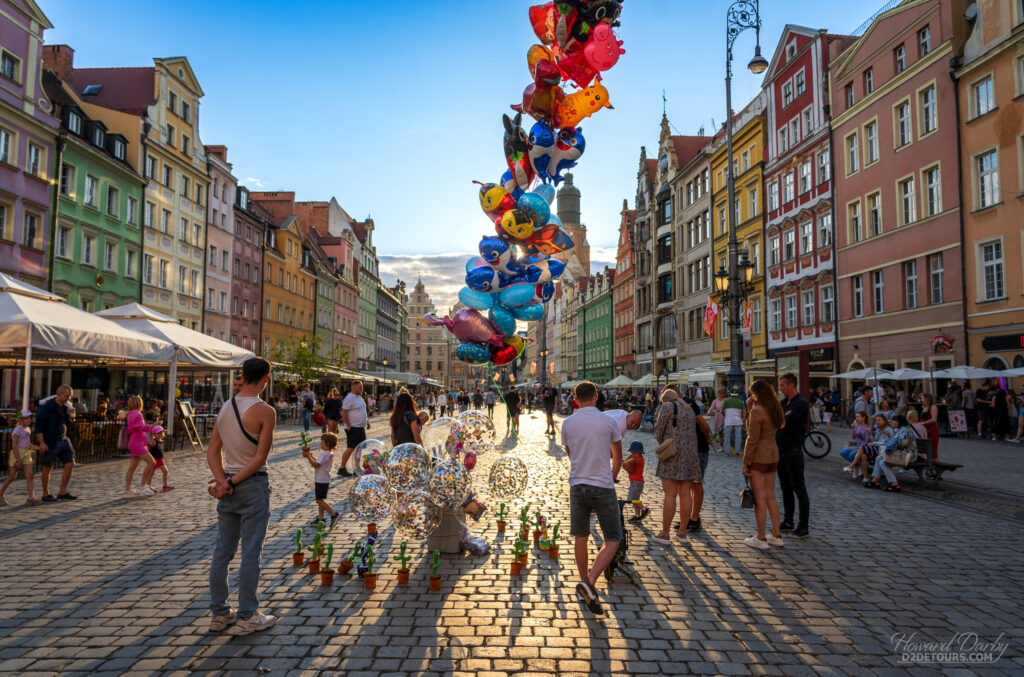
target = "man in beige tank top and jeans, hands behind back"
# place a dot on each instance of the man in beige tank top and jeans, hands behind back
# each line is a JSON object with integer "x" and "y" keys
{"x": 238, "y": 452}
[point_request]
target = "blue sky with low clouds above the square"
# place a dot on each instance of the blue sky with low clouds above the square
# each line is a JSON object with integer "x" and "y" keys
{"x": 396, "y": 108}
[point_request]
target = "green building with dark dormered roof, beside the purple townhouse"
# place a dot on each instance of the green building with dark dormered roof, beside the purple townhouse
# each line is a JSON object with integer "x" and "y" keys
{"x": 96, "y": 258}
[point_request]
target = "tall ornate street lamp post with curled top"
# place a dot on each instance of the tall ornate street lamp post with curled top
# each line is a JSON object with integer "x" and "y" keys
{"x": 743, "y": 15}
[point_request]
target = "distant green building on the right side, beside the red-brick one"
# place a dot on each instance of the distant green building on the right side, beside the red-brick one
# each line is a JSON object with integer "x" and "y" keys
{"x": 595, "y": 360}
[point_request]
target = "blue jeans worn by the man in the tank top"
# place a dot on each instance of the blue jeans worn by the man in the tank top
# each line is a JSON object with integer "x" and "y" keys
{"x": 245, "y": 514}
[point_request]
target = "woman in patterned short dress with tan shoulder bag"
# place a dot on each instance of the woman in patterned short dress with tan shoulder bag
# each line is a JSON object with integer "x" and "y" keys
{"x": 678, "y": 464}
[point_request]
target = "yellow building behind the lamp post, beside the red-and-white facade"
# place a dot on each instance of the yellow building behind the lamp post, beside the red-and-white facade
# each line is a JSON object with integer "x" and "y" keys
{"x": 748, "y": 153}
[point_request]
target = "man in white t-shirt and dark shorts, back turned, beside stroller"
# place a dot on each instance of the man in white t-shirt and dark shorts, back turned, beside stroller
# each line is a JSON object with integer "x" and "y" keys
{"x": 587, "y": 436}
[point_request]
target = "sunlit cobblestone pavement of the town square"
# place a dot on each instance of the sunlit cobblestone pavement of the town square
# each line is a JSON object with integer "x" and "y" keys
{"x": 105, "y": 585}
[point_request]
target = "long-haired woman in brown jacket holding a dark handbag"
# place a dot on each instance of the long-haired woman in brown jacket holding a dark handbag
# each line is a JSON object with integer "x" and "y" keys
{"x": 761, "y": 460}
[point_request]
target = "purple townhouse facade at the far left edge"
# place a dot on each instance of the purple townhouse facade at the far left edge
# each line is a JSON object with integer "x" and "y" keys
{"x": 29, "y": 162}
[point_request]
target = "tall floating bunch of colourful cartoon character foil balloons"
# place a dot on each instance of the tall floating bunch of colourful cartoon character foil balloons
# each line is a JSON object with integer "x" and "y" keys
{"x": 515, "y": 275}
